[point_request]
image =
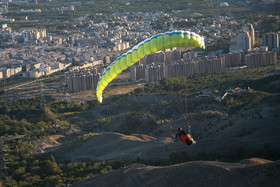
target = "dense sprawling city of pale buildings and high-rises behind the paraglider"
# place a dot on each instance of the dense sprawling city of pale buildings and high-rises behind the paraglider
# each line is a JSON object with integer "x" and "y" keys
{"x": 86, "y": 52}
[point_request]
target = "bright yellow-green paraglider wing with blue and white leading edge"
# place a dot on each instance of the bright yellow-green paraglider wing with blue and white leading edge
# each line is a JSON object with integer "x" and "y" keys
{"x": 151, "y": 45}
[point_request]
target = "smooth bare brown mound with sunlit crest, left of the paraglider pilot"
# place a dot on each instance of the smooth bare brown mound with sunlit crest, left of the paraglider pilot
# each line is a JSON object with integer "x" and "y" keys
{"x": 114, "y": 146}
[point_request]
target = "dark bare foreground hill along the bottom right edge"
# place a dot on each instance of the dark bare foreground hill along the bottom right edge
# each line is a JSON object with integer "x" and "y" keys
{"x": 198, "y": 173}
